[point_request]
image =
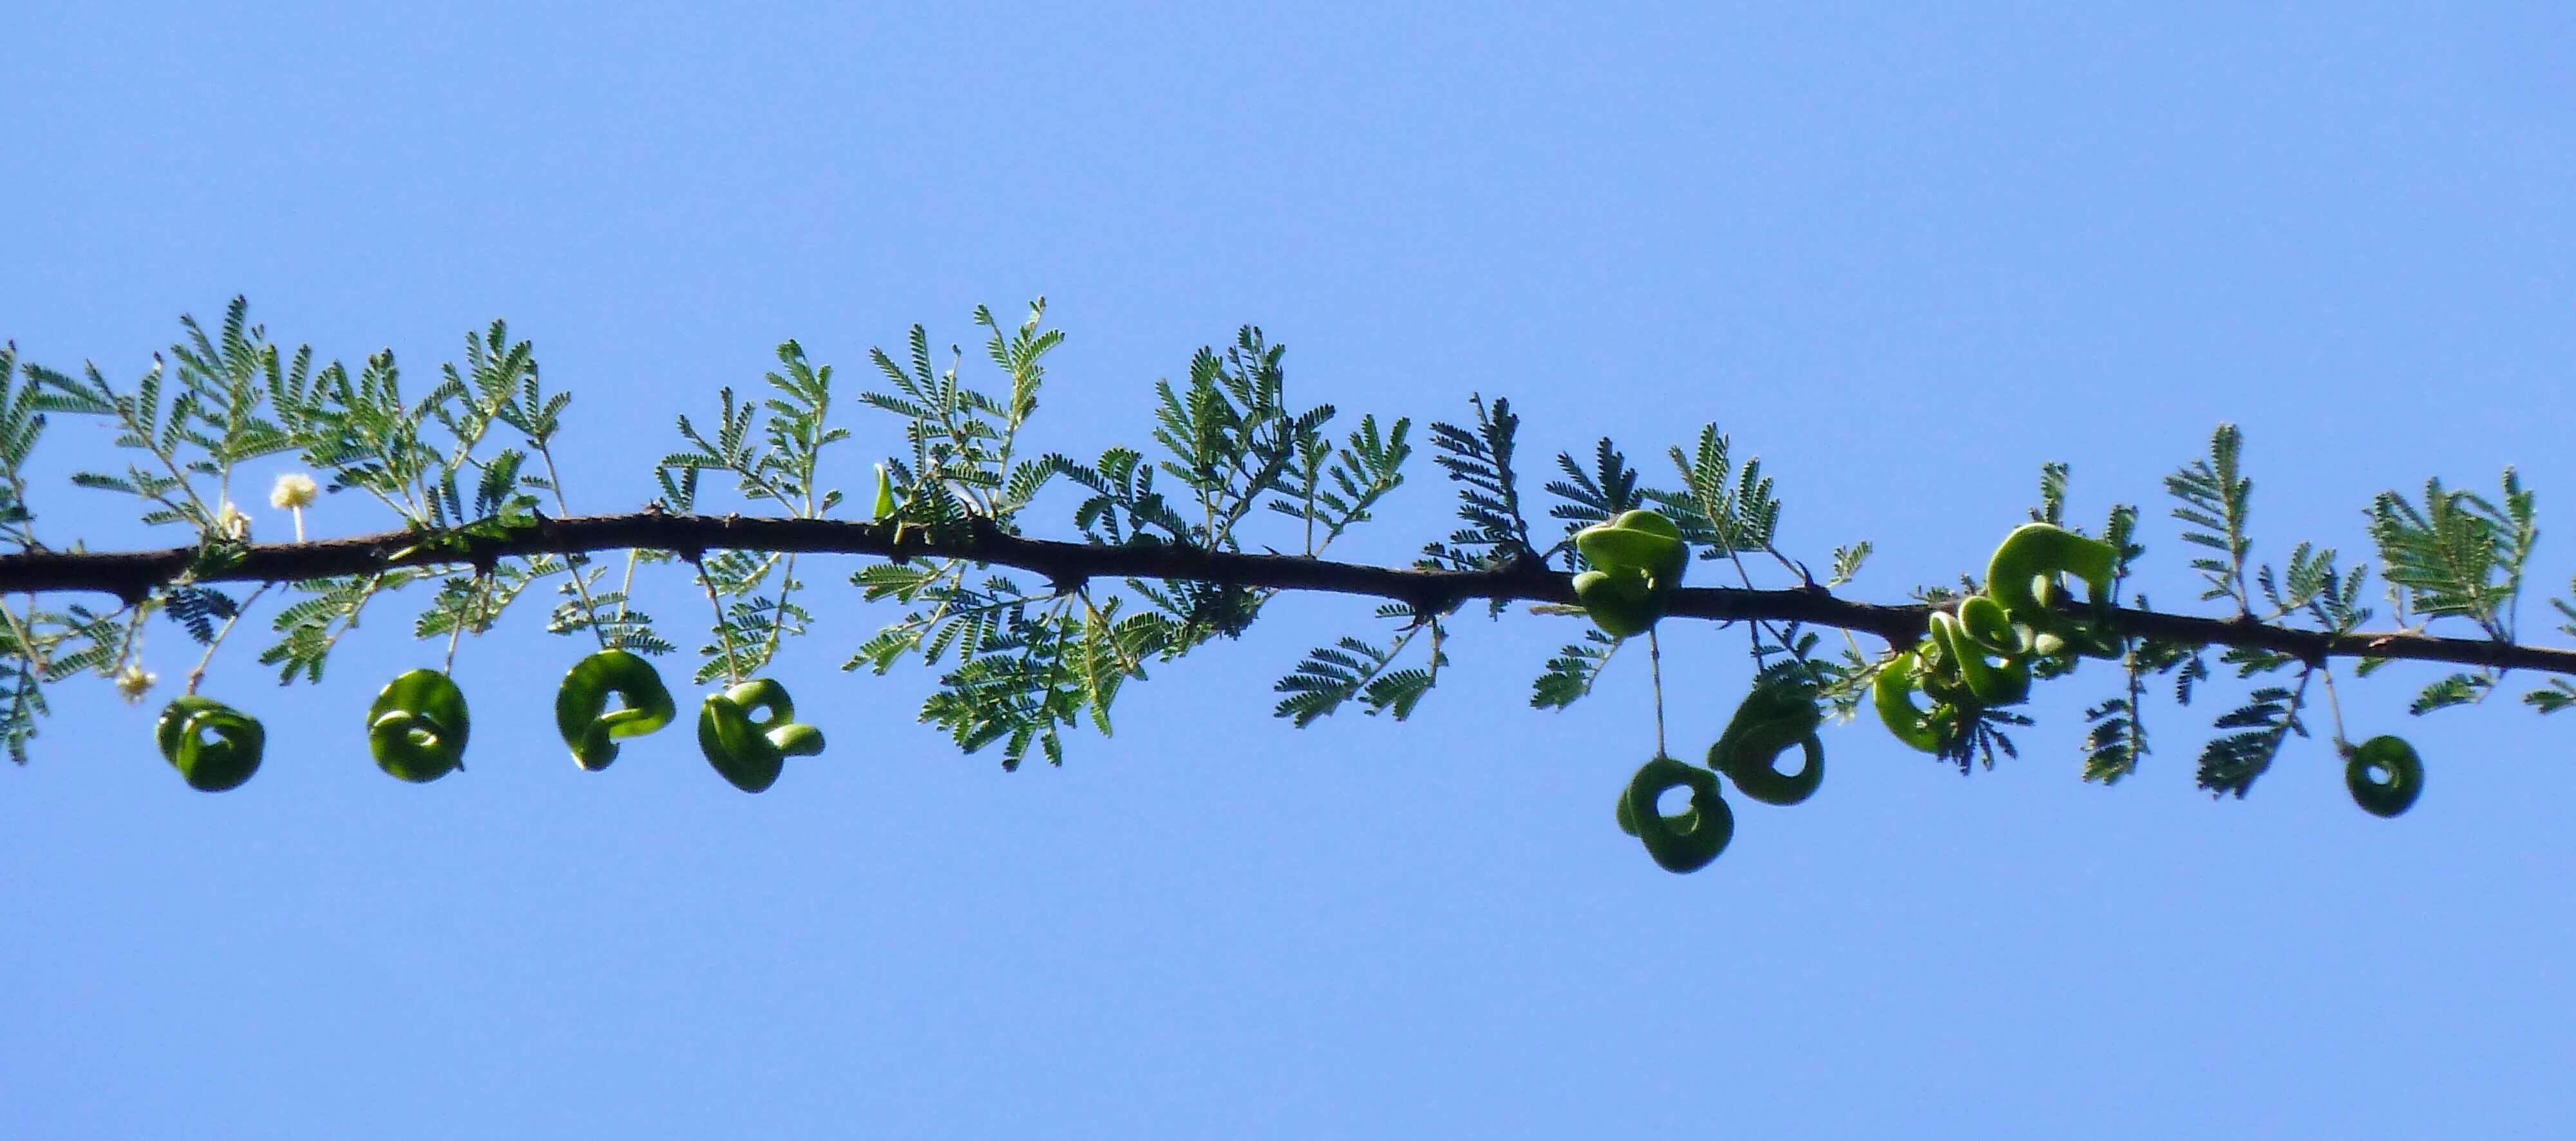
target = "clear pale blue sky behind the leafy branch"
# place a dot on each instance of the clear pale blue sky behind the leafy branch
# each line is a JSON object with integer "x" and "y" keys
{"x": 1902, "y": 256}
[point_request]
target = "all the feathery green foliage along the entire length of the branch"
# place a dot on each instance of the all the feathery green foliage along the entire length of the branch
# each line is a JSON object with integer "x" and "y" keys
{"x": 1233, "y": 467}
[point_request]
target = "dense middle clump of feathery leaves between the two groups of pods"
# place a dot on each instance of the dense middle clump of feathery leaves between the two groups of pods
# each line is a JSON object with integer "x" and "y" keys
{"x": 1034, "y": 663}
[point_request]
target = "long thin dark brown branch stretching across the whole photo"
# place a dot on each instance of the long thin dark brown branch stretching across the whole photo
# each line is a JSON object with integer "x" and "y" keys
{"x": 1068, "y": 565}
